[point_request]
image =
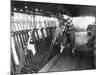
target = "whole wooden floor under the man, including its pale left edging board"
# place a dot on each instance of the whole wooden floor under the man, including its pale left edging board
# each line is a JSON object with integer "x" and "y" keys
{"x": 67, "y": 62}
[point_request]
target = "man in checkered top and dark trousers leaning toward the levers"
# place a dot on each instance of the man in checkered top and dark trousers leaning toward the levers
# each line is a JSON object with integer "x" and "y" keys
{"x": 66, "y": 31}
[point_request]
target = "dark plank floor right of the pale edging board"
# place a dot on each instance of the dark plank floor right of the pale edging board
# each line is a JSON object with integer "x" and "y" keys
{"x": 83, "y": 61}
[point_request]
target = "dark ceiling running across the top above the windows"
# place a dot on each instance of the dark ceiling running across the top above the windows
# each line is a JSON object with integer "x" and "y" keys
{"x": 72, "y": 10}
